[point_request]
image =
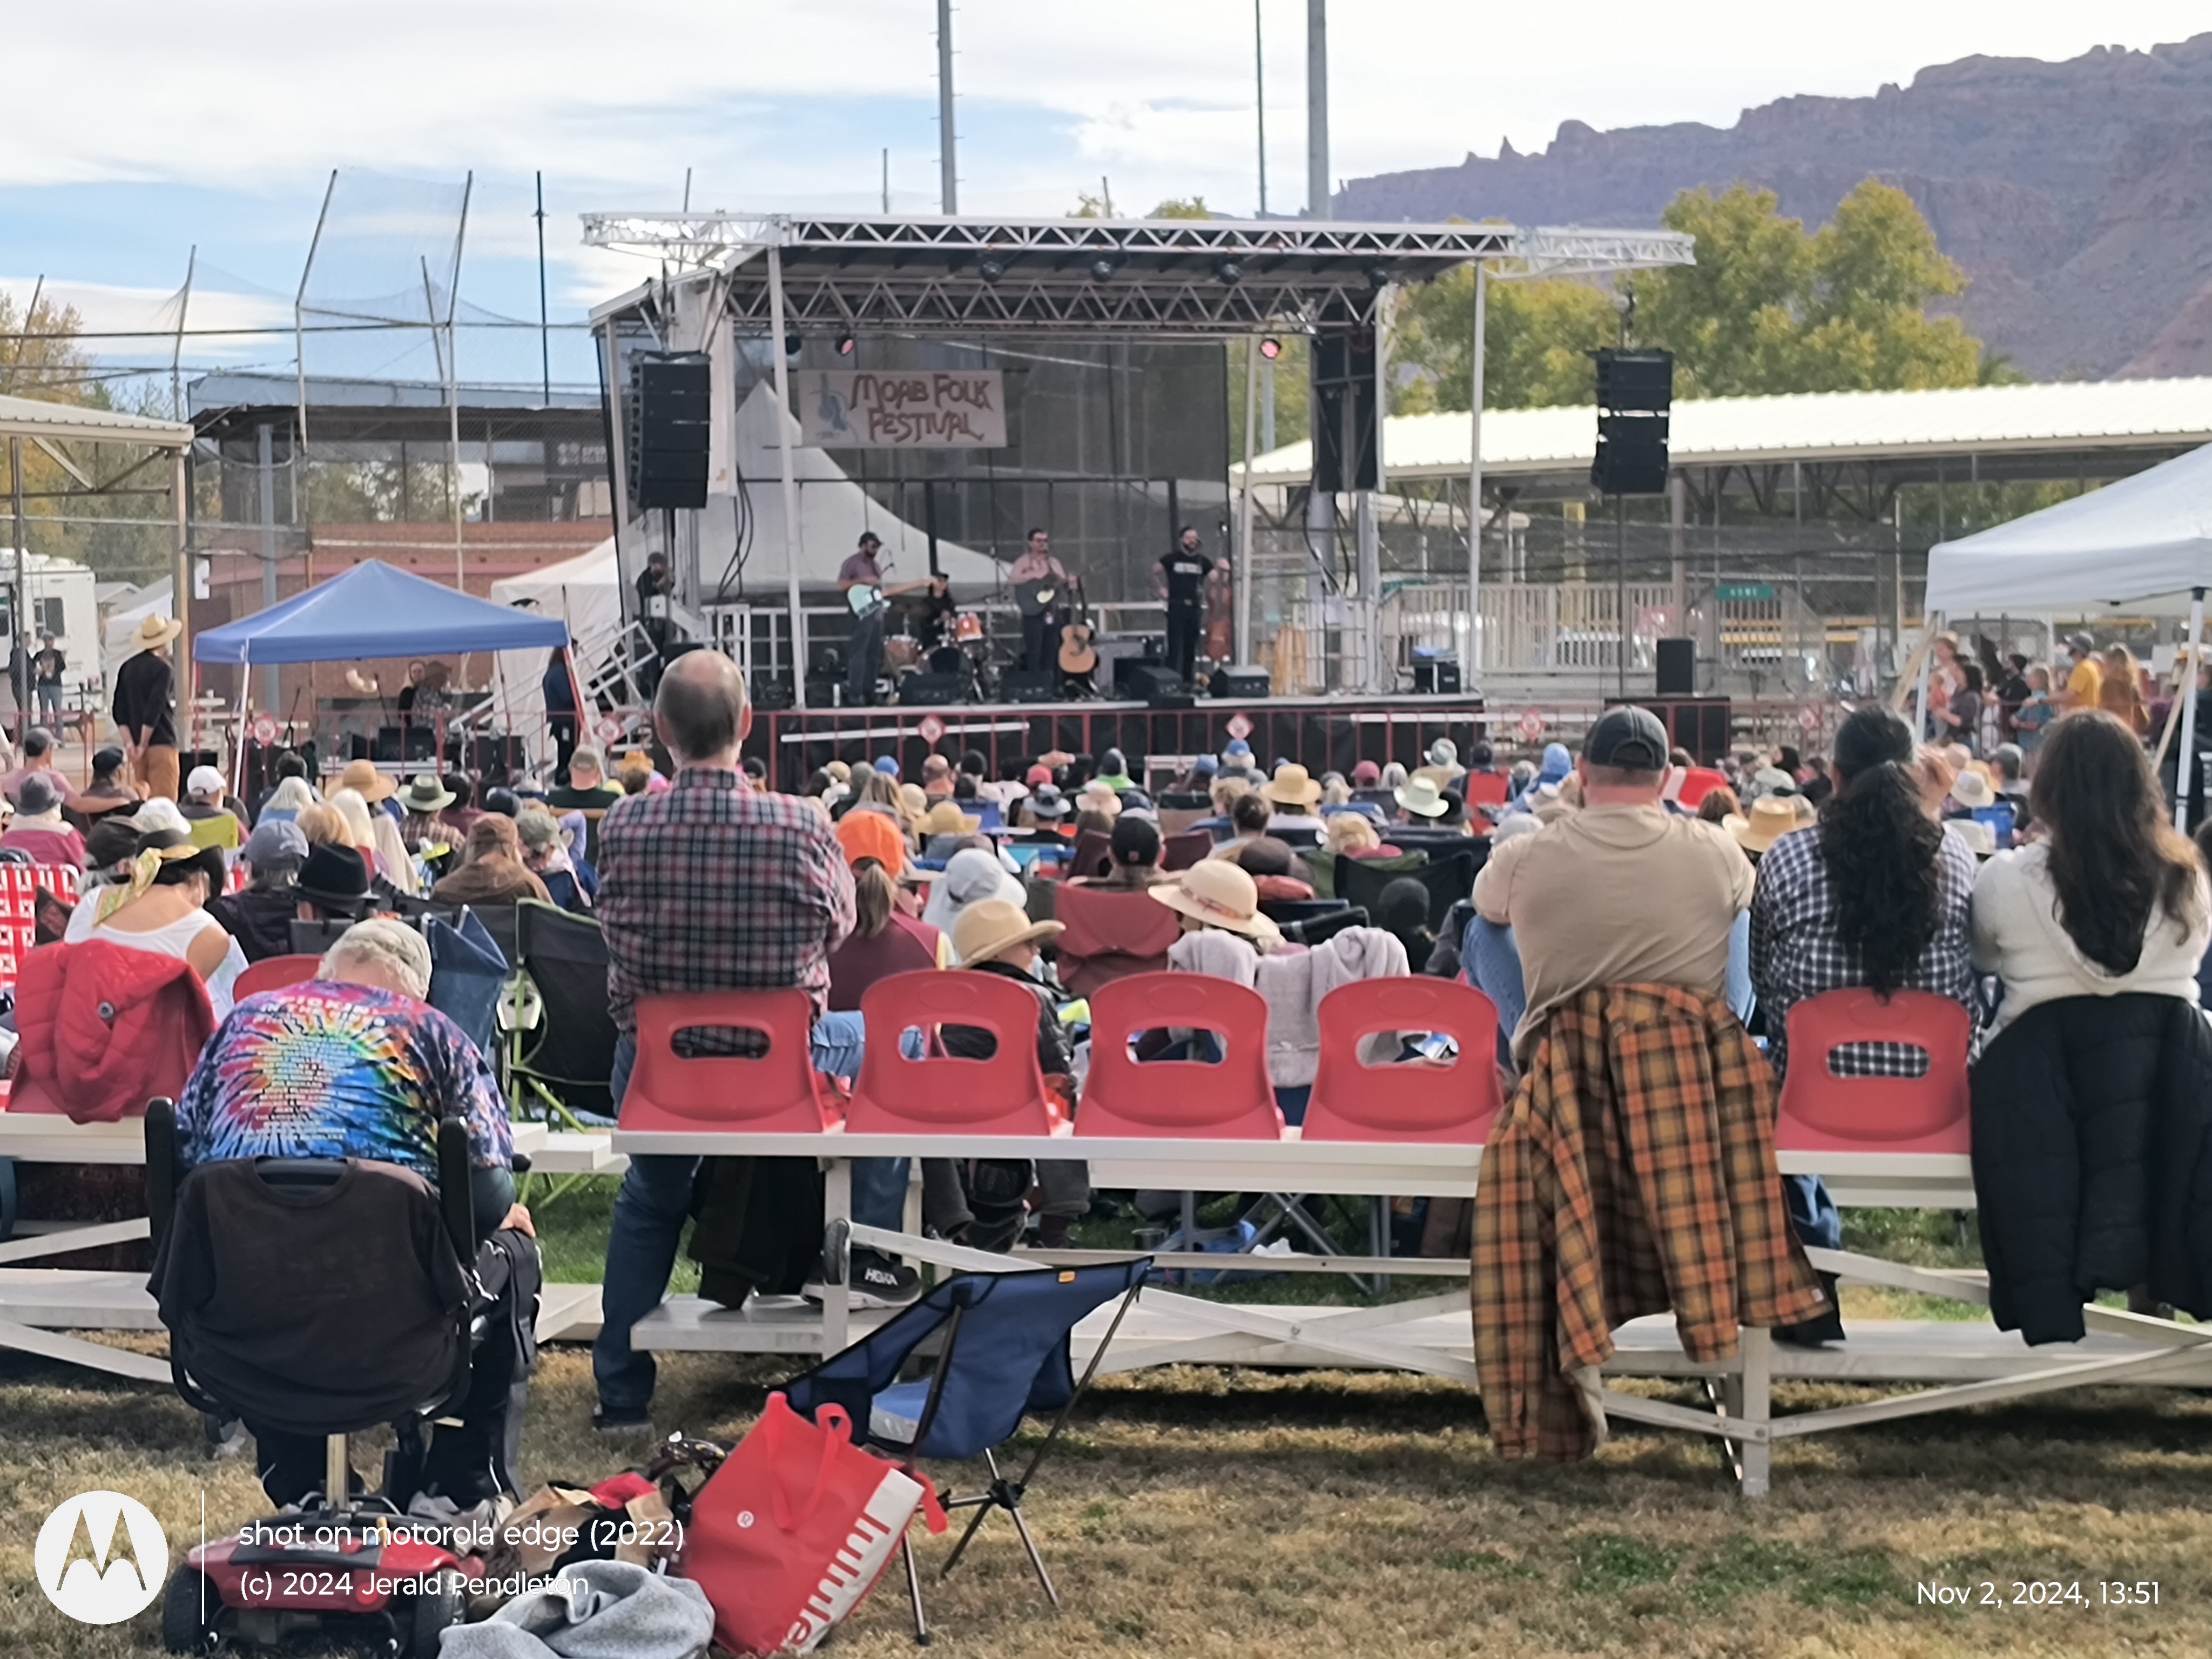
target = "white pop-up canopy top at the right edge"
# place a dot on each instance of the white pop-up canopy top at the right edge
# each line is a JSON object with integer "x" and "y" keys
{"x": 2142, "y": 543}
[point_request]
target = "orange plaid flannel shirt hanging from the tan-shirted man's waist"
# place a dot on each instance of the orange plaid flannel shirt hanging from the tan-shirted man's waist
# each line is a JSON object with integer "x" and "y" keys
{"x": 1634, "y": 1173}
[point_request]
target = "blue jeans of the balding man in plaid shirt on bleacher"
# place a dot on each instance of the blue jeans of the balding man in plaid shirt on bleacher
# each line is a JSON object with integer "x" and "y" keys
{"x": 656, "y": 1204}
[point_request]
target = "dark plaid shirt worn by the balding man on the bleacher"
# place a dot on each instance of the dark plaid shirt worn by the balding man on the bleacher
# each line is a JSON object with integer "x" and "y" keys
{"x": 716, "y": 888}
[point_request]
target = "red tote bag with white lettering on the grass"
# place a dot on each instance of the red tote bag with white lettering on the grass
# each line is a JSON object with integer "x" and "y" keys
{"x": 795, "y": 1530}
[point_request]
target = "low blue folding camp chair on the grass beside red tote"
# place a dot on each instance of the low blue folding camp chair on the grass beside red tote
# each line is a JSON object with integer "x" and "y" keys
{"x": 957, "y": 1373}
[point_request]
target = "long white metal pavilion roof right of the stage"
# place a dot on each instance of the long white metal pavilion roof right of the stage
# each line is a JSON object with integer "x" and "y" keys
{"x": 1806, "y": 428}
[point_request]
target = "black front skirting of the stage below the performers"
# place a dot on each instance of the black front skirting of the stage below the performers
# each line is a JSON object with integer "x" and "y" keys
{"x": 1319, "y": 733}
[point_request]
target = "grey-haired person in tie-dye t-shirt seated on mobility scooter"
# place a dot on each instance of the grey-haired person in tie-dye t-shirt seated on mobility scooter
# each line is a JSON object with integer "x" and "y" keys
{"x": 355, "y": 1065}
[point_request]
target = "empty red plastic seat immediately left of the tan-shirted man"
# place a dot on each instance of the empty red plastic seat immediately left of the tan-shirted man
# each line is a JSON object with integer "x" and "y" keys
{"x": 1357, "y": 1103}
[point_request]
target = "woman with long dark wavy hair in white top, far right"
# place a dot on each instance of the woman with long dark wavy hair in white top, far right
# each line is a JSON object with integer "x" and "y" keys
{"x": 2111, "y": 901}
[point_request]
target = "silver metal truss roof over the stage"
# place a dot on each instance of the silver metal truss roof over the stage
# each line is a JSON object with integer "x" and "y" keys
{"x": 1131, "y": 278}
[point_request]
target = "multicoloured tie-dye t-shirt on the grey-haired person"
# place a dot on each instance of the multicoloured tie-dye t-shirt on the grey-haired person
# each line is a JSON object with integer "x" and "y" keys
{"x": 340, "y": 1072}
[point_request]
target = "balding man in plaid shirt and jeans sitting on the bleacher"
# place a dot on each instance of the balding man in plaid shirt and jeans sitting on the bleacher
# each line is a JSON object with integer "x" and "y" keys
{"x": 716, "y": 888}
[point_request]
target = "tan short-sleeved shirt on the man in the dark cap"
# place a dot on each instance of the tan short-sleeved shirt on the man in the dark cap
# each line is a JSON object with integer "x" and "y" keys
{"x": 1616, "y": 897}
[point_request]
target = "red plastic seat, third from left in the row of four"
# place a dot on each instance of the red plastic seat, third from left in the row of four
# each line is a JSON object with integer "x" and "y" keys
{"x": 1182, "y": 1098}
